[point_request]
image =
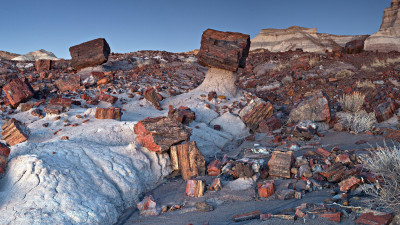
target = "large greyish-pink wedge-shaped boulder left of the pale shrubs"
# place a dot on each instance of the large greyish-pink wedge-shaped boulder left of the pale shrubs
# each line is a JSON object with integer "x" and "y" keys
{"x": 315, "y": 108}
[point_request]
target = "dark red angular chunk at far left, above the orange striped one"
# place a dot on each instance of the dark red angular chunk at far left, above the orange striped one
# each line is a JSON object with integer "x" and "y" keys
{"x": 18, "y": 91}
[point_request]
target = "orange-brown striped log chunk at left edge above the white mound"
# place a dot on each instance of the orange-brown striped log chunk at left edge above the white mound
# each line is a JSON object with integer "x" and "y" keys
{"x": 14, "y": 132}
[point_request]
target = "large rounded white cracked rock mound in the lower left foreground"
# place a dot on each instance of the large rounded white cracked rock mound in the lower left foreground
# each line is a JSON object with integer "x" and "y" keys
{"x": 89, "y": 179}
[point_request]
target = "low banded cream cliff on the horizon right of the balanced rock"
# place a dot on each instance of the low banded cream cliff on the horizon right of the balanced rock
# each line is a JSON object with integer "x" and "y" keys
{"x": 281, "y": 40}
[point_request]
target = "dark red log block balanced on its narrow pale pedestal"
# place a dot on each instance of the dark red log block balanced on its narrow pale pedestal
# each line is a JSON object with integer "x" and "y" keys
{"x": 223, "y": 53}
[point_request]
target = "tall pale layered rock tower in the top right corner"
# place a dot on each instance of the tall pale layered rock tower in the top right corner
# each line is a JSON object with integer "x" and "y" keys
{"x": 388, "y": 37}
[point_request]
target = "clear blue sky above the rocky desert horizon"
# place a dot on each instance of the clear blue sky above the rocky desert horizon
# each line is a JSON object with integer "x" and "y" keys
{"x": 171, "y": 25}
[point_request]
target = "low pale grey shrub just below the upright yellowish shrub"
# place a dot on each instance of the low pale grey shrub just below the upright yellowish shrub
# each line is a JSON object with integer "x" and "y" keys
{"x": 357, "y": 122}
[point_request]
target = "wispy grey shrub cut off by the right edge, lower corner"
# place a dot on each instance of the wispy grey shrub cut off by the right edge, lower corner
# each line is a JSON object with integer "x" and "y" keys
{"x": 385, "y": 162}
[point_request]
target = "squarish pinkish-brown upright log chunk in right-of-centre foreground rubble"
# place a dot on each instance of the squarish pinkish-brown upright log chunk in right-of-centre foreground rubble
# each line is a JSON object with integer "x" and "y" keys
{"x": 280, "y": 164}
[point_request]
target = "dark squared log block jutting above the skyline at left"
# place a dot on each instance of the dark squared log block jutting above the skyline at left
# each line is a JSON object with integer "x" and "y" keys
{"x": 89, "y": 54}
